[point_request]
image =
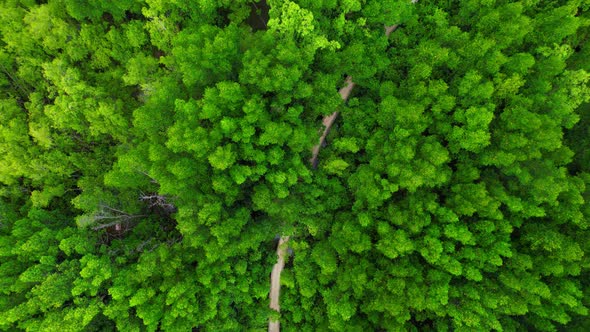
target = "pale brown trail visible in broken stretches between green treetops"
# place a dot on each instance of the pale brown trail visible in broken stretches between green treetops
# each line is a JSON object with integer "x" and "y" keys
{"x": 328, "y": 121}
